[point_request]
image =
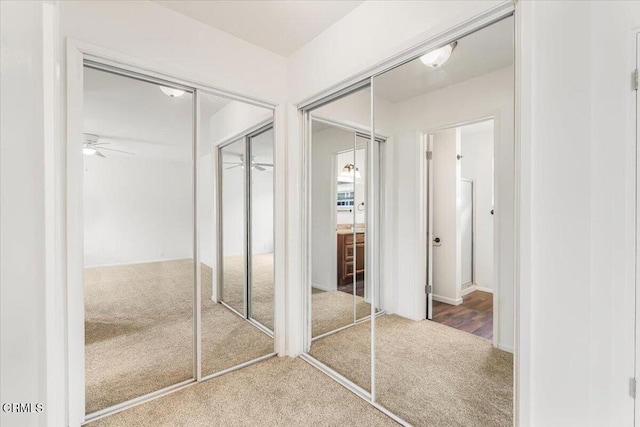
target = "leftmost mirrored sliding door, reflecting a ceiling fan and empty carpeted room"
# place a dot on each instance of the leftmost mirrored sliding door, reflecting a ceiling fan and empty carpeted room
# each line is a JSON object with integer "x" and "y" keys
{"x": 138, "y": 237}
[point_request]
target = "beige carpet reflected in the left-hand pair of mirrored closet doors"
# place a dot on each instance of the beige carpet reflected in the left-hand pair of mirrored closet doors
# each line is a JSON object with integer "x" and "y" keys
{"x": 139, "y": 331}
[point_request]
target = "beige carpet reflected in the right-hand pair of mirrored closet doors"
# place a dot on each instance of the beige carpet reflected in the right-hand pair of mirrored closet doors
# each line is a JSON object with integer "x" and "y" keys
{"x": 428, "y": 374}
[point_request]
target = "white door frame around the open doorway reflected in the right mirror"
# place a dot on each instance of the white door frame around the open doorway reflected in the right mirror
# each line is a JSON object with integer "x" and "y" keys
{"x": 422, "y": 266}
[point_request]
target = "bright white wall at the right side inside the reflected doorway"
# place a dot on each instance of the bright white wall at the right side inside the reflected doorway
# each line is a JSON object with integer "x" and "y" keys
{"x": 477, "y": 165}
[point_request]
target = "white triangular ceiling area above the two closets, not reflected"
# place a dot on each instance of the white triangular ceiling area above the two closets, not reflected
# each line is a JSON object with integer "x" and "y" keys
{"x": 279, "y": 26}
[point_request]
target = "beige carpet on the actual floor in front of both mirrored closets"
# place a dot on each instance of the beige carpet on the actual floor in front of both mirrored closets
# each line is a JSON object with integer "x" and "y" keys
{"x": 276, "y": 392}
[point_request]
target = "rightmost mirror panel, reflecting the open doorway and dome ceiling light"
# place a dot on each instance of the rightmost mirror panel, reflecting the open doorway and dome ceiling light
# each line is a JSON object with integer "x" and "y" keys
{"x": 438, "y": 116}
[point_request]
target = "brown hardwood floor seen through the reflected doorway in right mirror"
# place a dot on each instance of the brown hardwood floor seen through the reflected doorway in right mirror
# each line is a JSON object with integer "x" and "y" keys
{"x": 474, "y": 315}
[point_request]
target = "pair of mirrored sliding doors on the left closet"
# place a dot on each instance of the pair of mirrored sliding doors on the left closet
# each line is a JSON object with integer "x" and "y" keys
{"x": 178, "y": 235}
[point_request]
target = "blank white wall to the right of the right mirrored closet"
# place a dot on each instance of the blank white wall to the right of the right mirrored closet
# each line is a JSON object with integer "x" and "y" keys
{"x": 578, "y": 154}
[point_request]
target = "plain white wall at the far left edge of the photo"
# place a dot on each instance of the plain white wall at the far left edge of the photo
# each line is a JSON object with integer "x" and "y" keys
{"x": 25, "y": 249}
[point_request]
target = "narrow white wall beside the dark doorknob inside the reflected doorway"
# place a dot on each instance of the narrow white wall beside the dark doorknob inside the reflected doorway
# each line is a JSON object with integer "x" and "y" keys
{"x": 446, "y": 216}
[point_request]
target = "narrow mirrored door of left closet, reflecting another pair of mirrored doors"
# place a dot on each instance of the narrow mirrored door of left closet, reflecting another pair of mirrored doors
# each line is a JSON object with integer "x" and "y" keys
{"x": 236, "y": 243}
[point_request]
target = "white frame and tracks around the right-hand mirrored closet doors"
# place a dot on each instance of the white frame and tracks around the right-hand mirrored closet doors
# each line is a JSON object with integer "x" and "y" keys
{"x": 341, "y": 89}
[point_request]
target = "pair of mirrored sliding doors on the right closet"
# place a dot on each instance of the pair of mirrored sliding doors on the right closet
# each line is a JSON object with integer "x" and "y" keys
{"x": 410, "y": 275}
